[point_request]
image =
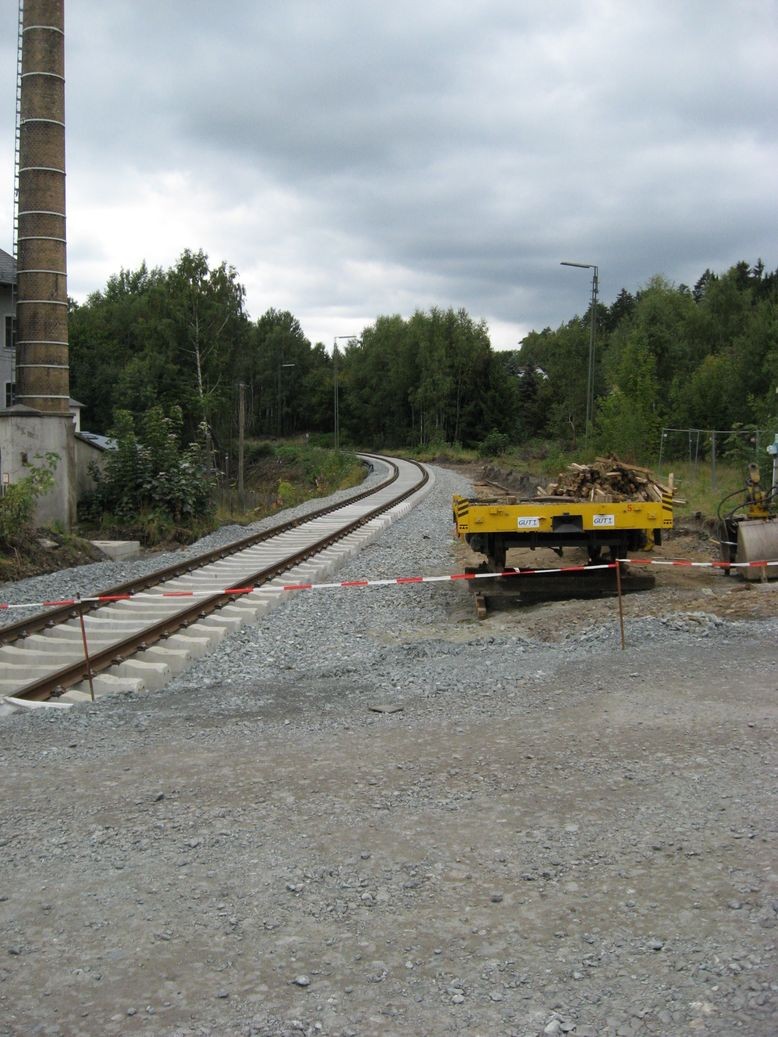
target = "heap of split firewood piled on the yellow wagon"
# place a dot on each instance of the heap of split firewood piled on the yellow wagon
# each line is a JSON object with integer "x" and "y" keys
{"x": 608, "y": 480}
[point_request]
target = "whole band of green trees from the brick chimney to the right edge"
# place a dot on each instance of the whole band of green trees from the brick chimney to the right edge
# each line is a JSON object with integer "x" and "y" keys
{"x": 705, "y": 357}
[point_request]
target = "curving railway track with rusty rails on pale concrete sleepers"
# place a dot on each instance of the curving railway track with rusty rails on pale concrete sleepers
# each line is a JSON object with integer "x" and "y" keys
{"x": 142, "y": 634}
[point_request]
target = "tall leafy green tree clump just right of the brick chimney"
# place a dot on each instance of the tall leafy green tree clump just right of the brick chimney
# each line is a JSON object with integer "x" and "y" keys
{"x": 168, "y": 339}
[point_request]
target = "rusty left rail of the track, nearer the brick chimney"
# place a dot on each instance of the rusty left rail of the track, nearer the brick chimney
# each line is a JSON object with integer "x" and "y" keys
{"x": 51, "y": 616}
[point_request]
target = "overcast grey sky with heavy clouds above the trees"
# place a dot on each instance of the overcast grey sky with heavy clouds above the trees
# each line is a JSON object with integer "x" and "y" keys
{"x": 357, "y": 158}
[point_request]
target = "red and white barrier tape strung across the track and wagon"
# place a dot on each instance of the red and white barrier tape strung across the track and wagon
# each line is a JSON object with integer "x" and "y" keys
{"x": 398, "y": 581}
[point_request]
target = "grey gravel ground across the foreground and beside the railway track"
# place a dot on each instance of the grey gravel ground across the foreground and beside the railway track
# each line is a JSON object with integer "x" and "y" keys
{"x": 373, "y": 815}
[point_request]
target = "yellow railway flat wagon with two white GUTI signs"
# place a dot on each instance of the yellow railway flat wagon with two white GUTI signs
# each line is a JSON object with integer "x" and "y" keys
{"x": 493, "y": 527}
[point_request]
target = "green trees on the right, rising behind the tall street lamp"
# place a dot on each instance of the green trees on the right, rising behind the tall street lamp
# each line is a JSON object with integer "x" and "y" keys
{"x": 703, "y": 358}
